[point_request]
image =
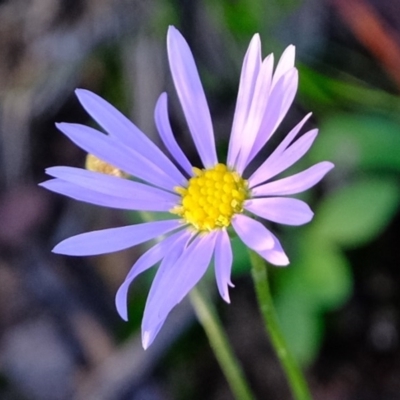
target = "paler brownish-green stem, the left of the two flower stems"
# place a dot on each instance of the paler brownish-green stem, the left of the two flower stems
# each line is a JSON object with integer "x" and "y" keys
{"x": 229, "y": 364}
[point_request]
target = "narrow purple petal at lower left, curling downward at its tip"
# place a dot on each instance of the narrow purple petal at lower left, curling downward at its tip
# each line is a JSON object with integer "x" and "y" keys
{"x": 146, "y": 261}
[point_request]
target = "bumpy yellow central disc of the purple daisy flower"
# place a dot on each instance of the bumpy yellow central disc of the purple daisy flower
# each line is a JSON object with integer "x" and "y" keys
{"x": 212, "y": 197}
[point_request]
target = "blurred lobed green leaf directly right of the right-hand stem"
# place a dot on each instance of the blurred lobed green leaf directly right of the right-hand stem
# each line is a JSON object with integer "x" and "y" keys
{"x": 317, "y": 281}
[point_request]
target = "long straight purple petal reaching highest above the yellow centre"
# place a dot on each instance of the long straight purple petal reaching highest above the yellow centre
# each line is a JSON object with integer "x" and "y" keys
{"x": 191, "y": 96}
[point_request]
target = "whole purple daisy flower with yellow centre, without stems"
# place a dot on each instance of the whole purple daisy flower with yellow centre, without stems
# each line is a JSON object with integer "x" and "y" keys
{"x": 204, "y": 202}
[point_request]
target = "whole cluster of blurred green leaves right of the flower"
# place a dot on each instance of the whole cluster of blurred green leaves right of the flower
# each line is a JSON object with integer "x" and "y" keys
{"x": 363, "y": 199}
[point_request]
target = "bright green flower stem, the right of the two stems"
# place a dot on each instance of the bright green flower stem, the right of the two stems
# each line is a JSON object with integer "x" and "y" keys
{"x": 297, "y": 383}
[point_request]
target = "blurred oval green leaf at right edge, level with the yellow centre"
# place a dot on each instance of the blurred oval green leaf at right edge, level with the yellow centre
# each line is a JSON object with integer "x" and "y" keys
{"x": 358, "y": 213}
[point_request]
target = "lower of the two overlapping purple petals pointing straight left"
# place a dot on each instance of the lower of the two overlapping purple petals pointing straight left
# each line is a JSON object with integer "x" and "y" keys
{"x": 114, "y": 201}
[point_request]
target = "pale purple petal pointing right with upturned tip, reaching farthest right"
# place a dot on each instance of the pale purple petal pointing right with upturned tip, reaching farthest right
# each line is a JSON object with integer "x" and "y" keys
{"x": 296, "y": 183}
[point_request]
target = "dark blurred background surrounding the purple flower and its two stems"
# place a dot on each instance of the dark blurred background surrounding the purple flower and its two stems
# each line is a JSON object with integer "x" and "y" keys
{"x": 338, "y": 301}
